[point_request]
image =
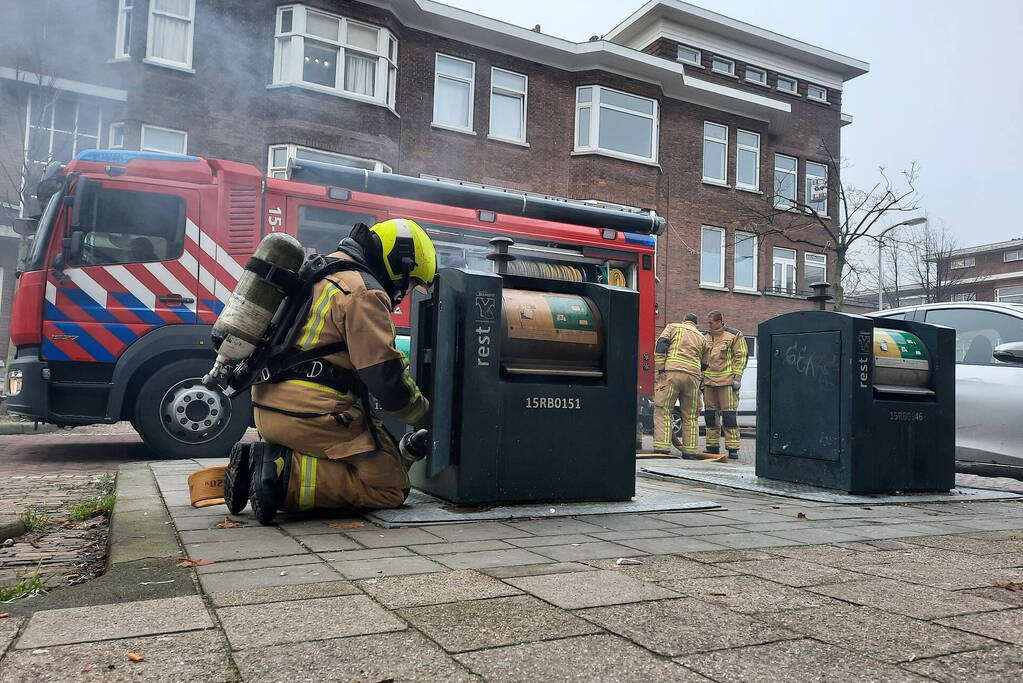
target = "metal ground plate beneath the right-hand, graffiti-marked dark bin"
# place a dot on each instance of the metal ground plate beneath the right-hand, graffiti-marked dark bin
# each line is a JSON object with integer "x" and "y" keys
{"x": 745, "y": 479}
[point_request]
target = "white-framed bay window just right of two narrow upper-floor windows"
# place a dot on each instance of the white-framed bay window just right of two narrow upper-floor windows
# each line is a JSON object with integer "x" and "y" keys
{"x": 616, "y": 123}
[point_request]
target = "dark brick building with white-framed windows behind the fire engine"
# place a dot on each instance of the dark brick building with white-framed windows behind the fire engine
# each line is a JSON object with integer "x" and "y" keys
{"x": 678, "y": 109}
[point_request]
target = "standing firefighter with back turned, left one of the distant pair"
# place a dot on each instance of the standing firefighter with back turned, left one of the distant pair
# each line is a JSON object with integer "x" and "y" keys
{"x": 678, "y": 359}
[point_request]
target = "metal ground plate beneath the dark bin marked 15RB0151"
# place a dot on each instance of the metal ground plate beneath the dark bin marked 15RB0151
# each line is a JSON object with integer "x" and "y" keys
{"x": 422, "y": 509}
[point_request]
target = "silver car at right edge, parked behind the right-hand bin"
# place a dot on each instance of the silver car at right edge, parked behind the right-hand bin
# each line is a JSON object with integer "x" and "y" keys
{"x": 989, "y": 380}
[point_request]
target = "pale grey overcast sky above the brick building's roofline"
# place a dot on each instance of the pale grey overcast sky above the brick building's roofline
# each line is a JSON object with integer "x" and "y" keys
{"x": 945, "y": 88}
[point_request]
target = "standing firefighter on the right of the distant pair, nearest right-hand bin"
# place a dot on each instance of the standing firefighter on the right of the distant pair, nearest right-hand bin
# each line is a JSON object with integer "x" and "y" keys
{"x": 725, "y": 361}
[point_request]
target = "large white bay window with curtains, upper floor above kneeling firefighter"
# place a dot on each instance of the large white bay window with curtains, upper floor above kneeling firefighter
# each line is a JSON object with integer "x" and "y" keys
{"x": 336, "y": 56}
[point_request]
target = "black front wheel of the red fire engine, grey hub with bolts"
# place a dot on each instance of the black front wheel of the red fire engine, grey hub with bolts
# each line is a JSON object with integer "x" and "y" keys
{"x": 180, "y": 419}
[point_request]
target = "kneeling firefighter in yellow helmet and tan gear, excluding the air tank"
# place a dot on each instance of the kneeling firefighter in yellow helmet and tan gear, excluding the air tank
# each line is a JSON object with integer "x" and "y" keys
{"x": 324, "y": 447}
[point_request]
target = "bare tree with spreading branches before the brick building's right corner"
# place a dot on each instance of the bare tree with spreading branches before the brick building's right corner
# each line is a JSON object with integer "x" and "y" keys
{"x": 860, "y": 213}
